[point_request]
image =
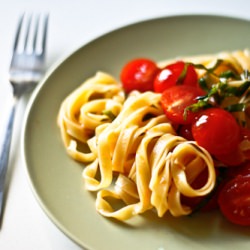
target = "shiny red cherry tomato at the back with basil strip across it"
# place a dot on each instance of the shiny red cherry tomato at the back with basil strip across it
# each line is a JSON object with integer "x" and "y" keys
{"x": 175, "y": 74}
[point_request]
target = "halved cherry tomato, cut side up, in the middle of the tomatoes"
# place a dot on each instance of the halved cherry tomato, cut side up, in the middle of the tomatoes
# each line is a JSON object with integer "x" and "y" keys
{"x": 174, "y": 101}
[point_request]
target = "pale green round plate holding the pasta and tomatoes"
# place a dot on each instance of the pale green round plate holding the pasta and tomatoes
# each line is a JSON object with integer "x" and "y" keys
{"x": 56, "y": 179}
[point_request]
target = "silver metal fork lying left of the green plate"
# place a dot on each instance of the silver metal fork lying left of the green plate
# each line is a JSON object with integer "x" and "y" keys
{"x": 26, "y": 70}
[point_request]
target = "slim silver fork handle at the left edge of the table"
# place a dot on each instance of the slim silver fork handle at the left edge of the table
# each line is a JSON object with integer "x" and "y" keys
{"x": 5, "y": 150}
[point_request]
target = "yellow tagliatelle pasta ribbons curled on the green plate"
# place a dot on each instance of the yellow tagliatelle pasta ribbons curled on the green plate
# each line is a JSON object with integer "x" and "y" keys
{"x": 133, "y": 157}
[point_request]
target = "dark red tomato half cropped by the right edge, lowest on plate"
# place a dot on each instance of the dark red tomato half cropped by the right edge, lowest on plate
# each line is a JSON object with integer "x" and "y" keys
{"x": 234, "y": 200}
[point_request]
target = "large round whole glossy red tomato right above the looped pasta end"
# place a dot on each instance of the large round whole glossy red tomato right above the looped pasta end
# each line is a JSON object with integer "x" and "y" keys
{"x": 216, "y": 130}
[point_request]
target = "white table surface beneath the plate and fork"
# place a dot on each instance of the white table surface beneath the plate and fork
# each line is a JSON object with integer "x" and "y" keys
{"x": 72, "y": 23}
